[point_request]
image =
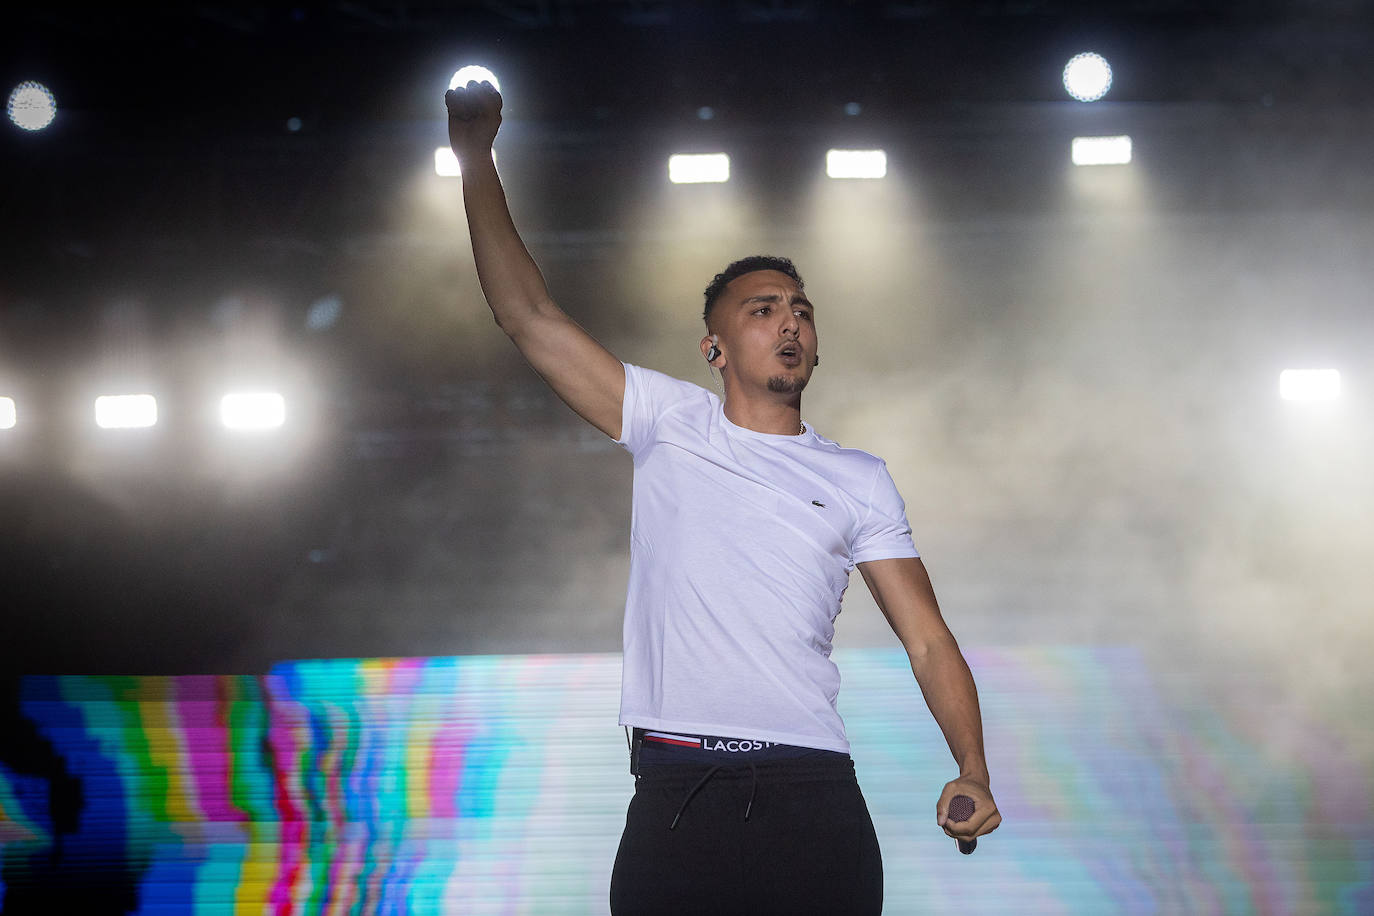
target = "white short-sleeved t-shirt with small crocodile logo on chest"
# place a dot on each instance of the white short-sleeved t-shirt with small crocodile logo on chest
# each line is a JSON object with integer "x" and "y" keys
{"x": 741, "y": 550}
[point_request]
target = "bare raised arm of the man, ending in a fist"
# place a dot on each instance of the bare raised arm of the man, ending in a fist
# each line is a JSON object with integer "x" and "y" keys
{"x": 582, "y": 371}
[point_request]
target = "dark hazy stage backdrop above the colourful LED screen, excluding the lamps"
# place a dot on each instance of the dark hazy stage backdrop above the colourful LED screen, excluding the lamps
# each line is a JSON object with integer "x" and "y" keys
{"x": 1071, "y": 373}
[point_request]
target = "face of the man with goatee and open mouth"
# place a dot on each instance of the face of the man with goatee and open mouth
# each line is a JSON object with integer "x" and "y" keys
{"x": 767, "y": 333}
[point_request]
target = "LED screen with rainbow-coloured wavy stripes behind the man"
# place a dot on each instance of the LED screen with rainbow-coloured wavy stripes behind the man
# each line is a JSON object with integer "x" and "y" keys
{"x": 498, "y": 785}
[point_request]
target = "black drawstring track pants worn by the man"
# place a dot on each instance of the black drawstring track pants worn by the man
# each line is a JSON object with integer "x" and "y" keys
{"x": 807, "y": 848}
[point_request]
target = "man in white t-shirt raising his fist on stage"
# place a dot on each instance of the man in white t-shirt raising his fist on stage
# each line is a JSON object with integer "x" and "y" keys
{"x": 747, "y": 525}
